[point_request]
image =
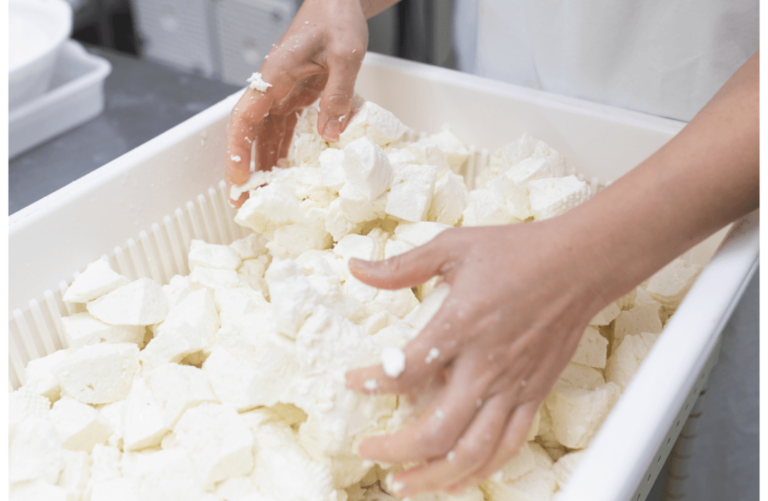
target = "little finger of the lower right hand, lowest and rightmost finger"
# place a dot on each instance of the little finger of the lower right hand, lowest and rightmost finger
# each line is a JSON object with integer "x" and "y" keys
{"x": 513, "y": 439}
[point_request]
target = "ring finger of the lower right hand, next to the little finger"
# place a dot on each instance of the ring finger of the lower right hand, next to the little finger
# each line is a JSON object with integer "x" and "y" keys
{"x": 476, "y": 446}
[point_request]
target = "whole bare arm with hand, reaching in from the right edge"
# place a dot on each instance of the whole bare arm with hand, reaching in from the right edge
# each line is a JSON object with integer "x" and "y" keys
{"x": 522, "y": 295}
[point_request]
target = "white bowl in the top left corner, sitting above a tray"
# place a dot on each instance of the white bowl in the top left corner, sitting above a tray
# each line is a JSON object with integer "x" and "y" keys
{"x": 38, "y": 29}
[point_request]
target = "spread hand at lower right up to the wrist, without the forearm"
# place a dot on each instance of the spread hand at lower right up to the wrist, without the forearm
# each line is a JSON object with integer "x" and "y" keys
{"x": 521, "y": 297}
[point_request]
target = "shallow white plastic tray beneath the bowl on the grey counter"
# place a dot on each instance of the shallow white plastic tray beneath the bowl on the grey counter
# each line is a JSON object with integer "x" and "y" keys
{"x": 76, "y": 96}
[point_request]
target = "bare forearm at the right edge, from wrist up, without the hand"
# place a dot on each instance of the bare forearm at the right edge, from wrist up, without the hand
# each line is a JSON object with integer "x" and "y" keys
{"x": 704, "y": 178}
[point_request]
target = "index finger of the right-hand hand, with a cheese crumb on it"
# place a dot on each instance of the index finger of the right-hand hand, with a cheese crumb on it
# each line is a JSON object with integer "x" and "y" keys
{"x": 436, "y": 346}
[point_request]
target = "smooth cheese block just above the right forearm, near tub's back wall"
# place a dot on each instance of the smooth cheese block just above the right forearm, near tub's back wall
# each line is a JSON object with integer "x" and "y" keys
{"x": 554, "y": 196}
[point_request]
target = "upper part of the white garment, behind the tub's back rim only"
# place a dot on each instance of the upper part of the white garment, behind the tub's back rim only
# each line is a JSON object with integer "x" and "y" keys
{"x": 661, "y": 57}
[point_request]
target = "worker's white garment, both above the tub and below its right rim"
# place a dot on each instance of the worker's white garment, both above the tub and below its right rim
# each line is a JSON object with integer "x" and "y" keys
{"x": 665, "y": 58}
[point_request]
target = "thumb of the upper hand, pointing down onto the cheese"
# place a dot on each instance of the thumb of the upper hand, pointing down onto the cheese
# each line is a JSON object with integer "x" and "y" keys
{"x": 336, "y": 104}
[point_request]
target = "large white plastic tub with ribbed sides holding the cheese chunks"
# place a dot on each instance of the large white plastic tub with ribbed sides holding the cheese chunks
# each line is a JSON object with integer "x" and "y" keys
{"x": 141, "y": 210}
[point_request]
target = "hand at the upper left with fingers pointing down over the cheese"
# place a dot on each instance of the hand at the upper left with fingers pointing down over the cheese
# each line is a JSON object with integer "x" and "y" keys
{"x": 321, "y": 52}
